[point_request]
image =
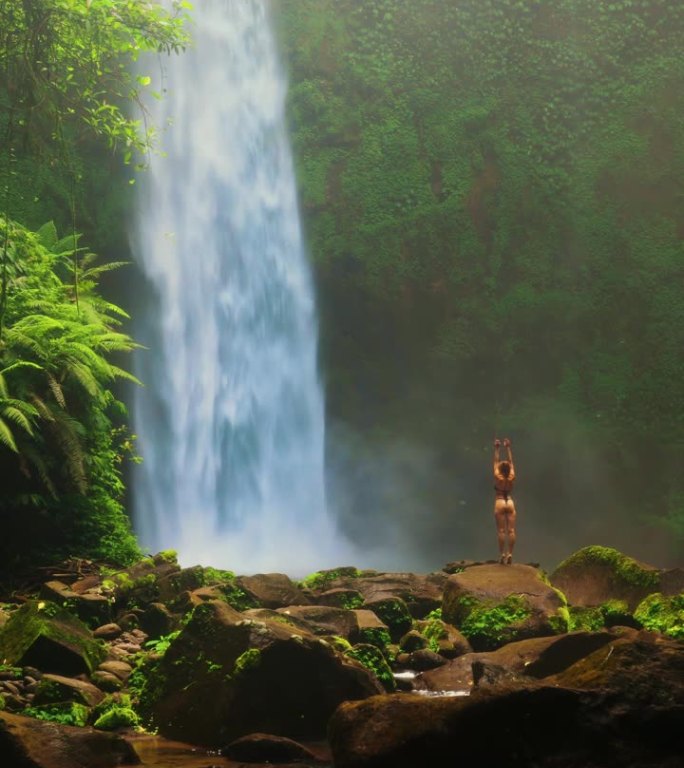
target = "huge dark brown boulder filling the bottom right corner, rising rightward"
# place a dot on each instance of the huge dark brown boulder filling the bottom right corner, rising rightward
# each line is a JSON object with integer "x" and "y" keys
{"x": 620, "y": 707}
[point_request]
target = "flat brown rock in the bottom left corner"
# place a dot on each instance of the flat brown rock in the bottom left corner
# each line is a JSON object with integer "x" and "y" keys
{"x": 29, "y": 743}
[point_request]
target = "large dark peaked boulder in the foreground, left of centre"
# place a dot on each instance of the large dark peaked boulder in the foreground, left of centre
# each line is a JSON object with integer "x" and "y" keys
{"x": 226, "y": 676}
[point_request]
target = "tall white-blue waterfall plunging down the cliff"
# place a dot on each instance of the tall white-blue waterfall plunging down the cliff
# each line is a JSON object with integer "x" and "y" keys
{"x": 230, "y": 422}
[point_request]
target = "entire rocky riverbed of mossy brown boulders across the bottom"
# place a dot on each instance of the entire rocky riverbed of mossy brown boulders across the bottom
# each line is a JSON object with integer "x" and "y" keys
{"x": 499, "y": 665}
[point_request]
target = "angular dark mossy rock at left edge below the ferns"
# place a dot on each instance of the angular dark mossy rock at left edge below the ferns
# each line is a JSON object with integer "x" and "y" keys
{"x": 46, "y": 636}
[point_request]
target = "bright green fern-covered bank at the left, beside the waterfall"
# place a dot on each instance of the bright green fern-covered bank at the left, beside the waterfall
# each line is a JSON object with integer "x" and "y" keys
{"x": 62, "y": 451}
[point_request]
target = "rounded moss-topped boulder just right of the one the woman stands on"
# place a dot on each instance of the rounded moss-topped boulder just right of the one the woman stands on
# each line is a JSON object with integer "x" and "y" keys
{"x": 594, "y": 575}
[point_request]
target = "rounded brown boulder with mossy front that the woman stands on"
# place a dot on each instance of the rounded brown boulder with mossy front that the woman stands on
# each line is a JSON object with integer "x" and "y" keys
{"x": 493, "y": 605}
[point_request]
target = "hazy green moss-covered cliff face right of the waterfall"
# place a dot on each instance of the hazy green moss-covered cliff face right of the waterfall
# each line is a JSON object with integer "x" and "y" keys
{"x": 489, "y": 193}
